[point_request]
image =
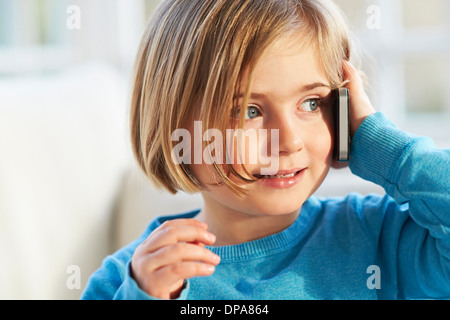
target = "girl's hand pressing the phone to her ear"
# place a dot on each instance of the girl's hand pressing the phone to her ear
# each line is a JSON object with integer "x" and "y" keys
{"x": 360, "y": 105}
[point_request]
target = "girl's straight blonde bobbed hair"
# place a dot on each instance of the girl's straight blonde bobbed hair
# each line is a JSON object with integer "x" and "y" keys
{"x": 192, "y": 59}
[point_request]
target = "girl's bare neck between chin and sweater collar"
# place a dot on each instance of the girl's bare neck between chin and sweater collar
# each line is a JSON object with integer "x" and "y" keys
{"x": 233, "y": 227}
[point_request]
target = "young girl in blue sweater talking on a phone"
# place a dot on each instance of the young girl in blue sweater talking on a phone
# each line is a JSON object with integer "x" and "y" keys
{"x": 272, "y": 65}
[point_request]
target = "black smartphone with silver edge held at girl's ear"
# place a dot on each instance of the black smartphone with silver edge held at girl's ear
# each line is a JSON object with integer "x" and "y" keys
{"x": 341, "y": 127}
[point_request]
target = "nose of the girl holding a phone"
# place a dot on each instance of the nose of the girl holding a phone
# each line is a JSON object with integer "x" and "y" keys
{"x": 290, "y": 137}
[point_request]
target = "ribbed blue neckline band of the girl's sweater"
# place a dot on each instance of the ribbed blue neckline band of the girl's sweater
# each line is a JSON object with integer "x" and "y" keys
{"x": 273, "y": 244}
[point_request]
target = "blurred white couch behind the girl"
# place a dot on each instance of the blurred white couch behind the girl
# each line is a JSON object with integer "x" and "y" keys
{"x": 70, "y": 192}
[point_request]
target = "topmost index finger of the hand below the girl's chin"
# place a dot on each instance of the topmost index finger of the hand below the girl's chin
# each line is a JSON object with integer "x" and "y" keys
{"x": 175, "y": 233}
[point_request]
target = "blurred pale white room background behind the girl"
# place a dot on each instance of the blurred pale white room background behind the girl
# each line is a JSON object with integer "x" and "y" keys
{"x": 70, "y": 192}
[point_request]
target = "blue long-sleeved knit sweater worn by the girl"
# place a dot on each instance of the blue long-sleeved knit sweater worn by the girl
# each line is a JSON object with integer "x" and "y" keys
{"x": 391, "y": 247}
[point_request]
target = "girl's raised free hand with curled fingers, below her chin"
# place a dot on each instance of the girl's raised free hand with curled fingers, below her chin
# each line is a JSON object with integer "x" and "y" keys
{"x": 172, "y": 253}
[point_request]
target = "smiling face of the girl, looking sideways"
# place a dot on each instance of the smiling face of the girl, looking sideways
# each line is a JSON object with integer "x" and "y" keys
{"x": 290, "y": 92}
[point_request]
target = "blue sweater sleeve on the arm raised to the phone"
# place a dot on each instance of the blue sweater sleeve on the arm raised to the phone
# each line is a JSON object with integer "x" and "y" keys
{"x": 414, "y": 251}
